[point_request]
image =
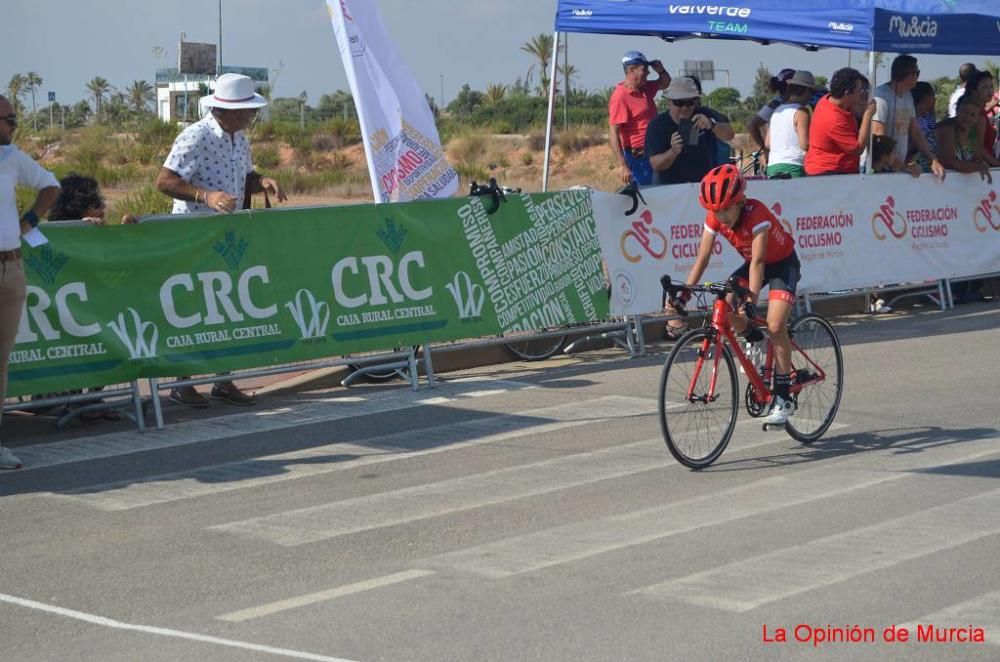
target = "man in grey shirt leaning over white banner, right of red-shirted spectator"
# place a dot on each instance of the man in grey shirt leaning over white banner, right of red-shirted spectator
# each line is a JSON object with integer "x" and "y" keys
{"x": 895, "y": 115}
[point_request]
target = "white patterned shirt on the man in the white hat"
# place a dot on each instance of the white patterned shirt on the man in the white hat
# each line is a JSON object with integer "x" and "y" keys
{"x": 207, "y": 157}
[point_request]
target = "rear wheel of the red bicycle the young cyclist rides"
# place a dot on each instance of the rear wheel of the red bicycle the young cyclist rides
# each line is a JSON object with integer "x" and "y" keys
{"x": 815, "y": 347}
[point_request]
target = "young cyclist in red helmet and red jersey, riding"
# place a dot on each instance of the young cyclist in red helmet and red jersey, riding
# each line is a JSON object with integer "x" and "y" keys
{"x": 770, "y": 257}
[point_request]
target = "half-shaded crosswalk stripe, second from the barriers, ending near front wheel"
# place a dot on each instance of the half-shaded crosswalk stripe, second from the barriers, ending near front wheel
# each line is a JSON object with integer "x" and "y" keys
{"x": 300, "y": 464}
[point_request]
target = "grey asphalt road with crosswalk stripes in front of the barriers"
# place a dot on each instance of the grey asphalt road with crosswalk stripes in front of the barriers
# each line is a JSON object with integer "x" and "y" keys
{"x": 523, "y": 512}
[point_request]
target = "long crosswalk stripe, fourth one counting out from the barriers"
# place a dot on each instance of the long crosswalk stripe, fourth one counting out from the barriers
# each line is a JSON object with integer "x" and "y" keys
{"x": 573, "y": 542}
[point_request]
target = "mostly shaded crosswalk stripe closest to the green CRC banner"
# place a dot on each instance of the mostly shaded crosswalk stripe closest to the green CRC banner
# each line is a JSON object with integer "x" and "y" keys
{"x": 40, "y": 456}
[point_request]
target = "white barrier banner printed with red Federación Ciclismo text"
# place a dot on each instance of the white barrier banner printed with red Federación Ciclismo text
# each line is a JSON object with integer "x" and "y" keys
{"x": 851, "y": 231}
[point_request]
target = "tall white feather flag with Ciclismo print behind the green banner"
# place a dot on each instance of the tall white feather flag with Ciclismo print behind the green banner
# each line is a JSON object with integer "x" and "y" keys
{"x": 405, "y": 160}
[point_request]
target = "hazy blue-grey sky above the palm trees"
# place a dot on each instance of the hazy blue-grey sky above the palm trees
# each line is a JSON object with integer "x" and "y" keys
{"x": 477, "y": 42}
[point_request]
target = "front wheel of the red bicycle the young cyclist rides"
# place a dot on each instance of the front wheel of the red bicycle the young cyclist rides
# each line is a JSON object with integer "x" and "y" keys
{"x": 699, "y": 398}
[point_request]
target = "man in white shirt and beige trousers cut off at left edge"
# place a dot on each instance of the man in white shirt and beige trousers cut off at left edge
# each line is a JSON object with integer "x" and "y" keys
{"x": 16, "y": 168}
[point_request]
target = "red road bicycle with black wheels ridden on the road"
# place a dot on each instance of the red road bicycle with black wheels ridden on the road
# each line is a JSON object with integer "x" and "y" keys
{"x": 699, "y": 389}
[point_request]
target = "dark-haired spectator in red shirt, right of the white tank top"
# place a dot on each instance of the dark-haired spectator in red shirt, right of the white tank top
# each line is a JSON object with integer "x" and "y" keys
{"x": 835, "y": 138}
